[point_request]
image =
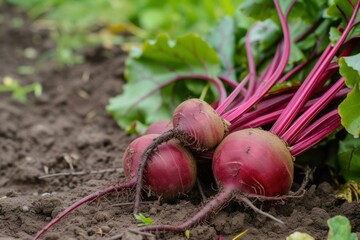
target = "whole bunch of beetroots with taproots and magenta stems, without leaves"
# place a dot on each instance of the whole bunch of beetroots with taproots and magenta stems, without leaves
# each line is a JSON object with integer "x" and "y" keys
{"x": 251, "y": 137}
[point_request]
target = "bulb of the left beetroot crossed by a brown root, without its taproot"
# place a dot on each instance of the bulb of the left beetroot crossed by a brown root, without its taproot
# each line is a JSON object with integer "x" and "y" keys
{"x": 170, "y": 172}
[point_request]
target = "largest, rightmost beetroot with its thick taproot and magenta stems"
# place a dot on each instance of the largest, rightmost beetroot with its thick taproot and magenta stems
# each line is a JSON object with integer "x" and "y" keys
{"x": 256, "y": 163}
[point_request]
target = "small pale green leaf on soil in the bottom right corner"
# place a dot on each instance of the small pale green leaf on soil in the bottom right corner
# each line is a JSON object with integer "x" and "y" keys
{"x": 340, "y": 229}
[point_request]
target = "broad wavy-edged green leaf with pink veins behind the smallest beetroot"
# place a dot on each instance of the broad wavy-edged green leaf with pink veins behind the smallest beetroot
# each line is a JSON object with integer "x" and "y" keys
{"x": 152, "y": 90}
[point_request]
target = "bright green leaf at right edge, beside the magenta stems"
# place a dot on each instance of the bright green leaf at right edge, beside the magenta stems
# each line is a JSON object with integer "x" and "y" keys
{"x": 349, "y": 108}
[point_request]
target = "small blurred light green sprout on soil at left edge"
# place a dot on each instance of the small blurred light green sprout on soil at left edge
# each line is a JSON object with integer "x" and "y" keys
{"x": 18, "y": 92}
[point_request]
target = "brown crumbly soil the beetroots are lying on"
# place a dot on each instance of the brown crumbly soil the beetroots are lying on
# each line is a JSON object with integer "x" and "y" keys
{"x": 67, "y": 128}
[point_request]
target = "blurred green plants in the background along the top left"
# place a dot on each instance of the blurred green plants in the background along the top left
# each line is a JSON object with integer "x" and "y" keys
{"x": 76, "y": 25}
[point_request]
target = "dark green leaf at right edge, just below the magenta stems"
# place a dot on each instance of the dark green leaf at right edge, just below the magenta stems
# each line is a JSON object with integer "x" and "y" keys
{"x": 349, "y": 158}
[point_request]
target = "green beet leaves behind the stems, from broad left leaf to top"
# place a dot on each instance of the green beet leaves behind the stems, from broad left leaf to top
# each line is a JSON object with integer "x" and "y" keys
{"x": 155, "y": 66}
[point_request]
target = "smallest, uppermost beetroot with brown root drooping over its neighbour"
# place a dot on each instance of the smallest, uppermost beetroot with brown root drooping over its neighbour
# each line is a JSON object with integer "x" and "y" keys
{"x": 196, "y": 125}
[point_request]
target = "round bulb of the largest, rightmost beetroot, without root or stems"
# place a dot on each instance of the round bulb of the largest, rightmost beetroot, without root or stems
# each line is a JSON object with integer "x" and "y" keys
{"x": 254, "y": 161}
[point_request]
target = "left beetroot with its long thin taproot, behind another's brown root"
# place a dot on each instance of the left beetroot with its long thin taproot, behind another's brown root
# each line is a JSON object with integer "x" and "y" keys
{"x": 171, "y": 172}
